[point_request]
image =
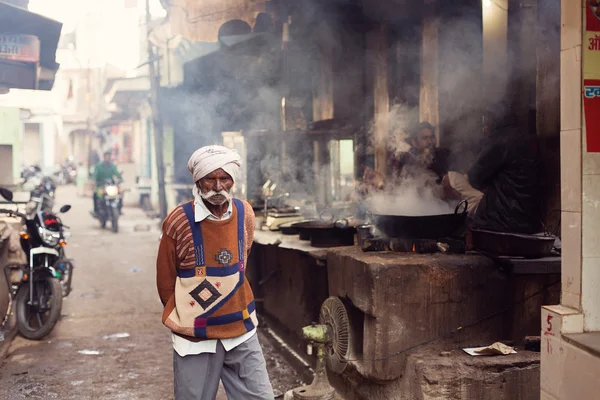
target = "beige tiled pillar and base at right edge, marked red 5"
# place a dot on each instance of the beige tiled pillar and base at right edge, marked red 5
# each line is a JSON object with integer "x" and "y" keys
{"x": 571, "y": 330}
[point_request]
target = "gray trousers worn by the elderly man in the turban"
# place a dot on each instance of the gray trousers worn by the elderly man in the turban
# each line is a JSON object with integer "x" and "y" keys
{"x": 243, "y": 371}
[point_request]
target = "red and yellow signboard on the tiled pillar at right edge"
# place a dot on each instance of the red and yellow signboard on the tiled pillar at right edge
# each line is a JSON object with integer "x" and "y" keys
{"x": 591, "y": 75}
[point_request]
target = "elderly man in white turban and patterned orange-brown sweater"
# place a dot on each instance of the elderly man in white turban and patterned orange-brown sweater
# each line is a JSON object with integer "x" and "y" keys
{"x": 208, "y": 303}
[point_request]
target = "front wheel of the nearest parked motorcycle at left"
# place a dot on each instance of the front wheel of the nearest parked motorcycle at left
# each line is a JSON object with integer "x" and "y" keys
{"x": 35, "y": 323}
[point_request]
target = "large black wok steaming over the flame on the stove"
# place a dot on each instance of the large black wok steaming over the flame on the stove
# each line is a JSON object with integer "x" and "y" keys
{"x": 421, "y": 227}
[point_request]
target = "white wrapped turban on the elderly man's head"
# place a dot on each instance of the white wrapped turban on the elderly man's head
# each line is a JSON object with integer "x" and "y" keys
{"x": 210, "y": 158}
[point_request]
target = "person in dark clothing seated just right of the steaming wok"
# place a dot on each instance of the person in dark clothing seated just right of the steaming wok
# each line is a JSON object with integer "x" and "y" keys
{"x": 502, "y": 185}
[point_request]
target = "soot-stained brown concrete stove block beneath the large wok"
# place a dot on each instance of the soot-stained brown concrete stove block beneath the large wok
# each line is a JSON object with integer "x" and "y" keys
{"x": 398, "y": 300}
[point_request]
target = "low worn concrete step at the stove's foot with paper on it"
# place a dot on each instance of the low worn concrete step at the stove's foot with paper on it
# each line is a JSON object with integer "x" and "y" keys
{"x": 434, "y": 375}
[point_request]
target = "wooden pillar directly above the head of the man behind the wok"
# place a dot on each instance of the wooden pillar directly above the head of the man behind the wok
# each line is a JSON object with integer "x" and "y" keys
{"x": 429, "y": 99}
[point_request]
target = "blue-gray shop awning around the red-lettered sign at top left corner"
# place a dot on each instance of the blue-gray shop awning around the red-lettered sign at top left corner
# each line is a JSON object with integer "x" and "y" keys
{"x": 18, "y": 21}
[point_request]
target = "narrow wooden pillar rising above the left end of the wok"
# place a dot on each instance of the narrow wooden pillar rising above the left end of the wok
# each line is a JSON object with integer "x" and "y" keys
{"x": 377, "y": 43}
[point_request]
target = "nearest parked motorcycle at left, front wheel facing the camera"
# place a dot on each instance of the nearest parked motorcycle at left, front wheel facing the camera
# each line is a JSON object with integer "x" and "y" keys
{"x": 38, "y": 288}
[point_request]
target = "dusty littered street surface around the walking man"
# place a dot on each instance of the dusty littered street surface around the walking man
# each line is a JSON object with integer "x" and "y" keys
{"x": 109, "y": 343}
